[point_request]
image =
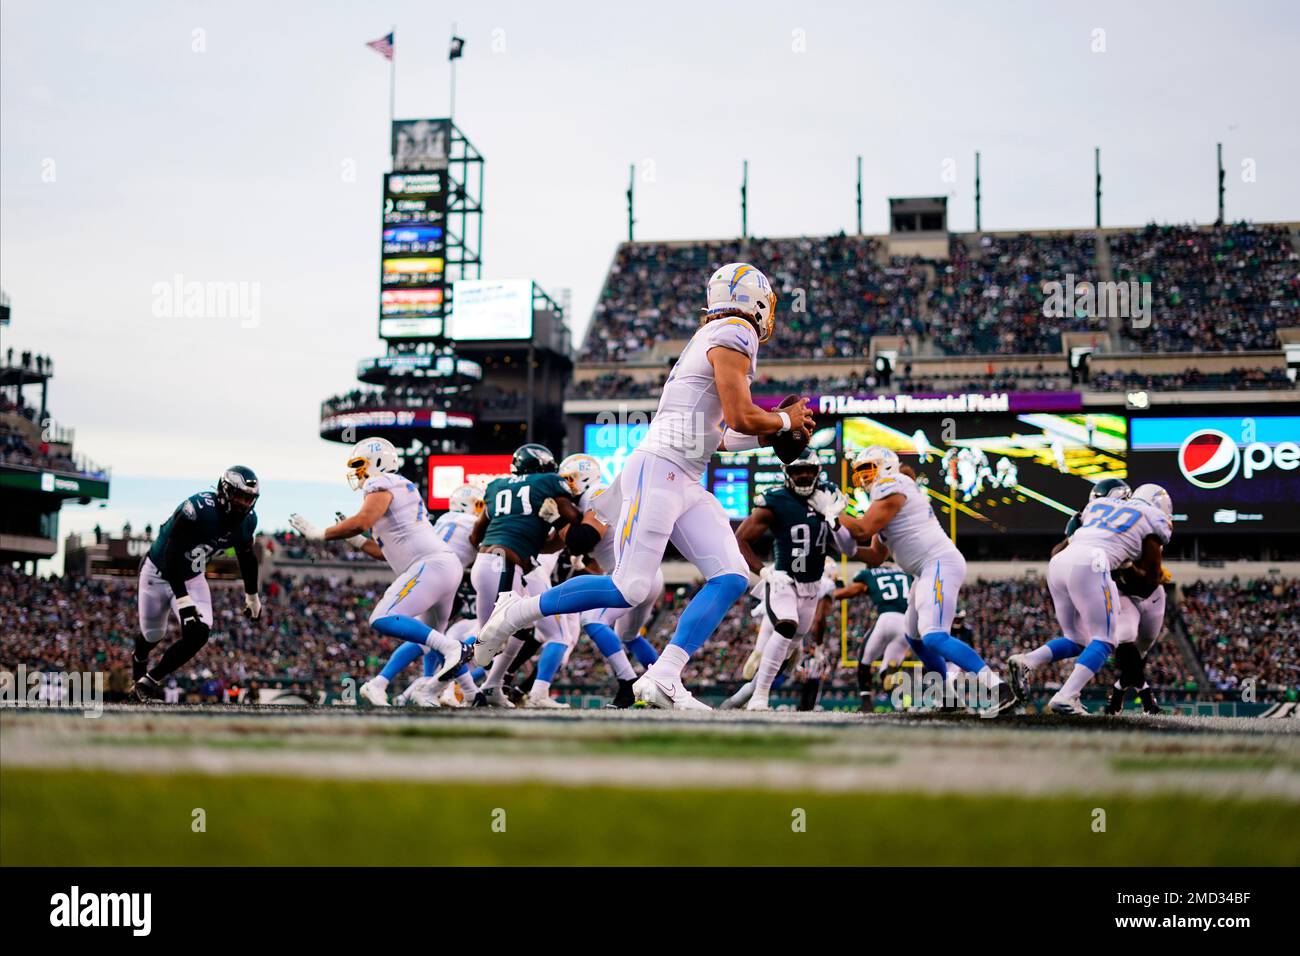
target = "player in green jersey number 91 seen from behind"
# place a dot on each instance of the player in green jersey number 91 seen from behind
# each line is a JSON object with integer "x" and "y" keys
{"x": 519, "y": 522}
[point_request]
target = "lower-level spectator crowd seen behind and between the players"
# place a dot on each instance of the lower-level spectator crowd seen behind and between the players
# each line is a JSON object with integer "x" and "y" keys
{"x": 314, "y": 634}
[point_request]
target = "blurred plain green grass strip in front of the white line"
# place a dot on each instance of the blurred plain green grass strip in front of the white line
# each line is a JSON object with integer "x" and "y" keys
{"x": 71, "y": 817}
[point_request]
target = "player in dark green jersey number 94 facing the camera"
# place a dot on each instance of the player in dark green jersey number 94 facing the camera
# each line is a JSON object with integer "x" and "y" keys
{"x": 804, "y": 520}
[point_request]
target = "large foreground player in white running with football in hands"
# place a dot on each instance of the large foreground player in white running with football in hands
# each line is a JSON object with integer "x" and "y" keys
{"x": 658, "y": 496}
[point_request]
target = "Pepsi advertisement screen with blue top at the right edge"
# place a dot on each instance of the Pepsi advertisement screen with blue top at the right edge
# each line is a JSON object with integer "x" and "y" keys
{"x": 1225, "y": 474}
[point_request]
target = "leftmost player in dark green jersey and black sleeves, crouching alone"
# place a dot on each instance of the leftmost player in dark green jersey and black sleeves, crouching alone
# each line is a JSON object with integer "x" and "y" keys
{"x": 172, "y": 576}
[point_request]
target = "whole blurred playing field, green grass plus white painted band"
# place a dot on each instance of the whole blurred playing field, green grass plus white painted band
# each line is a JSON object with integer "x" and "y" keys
{"x": 466, "y": 789}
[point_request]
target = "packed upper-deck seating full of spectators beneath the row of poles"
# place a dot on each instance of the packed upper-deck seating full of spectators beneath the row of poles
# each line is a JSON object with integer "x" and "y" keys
{"x": 1223, "y": 288}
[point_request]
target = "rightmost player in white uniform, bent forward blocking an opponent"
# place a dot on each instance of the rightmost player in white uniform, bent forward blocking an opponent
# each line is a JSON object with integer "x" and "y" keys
{"x": 1115, "y": 529}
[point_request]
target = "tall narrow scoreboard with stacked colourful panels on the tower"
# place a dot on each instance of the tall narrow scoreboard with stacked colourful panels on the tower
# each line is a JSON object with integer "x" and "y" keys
{"x": 414, "y": 256}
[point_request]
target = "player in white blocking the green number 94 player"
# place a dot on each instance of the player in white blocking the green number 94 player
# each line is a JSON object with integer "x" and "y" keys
{"x": 902, "y": 521}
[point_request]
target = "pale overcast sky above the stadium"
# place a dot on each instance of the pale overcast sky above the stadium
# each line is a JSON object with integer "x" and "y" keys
{"x": 245, "y": 142}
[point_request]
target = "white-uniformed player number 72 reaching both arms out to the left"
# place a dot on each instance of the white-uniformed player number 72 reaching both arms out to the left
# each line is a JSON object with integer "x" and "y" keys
{"x": 428, "y": 573}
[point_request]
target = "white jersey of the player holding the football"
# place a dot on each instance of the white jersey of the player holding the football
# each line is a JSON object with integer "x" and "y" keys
{"x": 688, "y": 426}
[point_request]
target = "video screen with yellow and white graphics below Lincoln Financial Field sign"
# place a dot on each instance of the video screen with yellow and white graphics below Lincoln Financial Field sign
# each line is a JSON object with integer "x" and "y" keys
{"x": 1004, "y": 474}
